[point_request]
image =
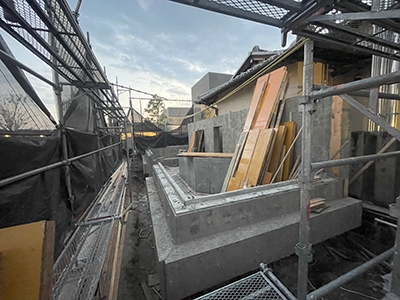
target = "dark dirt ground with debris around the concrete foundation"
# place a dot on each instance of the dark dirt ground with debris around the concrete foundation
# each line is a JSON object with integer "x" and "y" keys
{"x": 332, "y": 258}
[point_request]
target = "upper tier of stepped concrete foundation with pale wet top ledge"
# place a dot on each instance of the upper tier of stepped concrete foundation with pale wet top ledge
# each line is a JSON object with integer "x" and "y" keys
{"x": 202, "y": 216}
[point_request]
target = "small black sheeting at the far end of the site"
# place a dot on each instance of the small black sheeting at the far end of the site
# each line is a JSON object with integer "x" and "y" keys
{"x": 162, "y": 139}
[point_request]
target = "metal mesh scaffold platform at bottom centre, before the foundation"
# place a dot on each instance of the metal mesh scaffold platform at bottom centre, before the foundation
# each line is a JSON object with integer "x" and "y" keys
{"x": 256, "y": 286}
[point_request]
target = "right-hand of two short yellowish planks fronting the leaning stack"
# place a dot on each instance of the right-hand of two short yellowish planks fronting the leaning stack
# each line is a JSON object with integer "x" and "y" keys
{"x": 261, "y": 148}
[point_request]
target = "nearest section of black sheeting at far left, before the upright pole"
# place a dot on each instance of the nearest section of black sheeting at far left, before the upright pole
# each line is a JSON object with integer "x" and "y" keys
{"x": 40, "y": 197}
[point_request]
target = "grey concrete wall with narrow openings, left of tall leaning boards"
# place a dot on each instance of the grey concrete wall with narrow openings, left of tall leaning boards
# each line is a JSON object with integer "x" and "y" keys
{"x": 231, "y": 127}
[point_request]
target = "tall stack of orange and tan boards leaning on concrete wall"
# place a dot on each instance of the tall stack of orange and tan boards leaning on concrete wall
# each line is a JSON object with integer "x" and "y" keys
{"x": 264, "y": 142}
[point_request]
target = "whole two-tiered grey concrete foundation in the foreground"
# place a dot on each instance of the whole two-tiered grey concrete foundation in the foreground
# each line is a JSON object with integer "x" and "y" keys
{"x": 204, "y": 241}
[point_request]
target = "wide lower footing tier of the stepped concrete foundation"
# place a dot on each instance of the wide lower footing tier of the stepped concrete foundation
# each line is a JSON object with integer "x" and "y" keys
{"x": 188, "y": 267}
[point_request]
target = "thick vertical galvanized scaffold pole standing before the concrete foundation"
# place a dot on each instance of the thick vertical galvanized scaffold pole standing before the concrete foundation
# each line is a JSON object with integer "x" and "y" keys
{"x": 303, "y": 247}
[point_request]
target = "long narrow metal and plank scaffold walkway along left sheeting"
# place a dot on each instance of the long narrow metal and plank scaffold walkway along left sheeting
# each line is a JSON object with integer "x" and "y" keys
{"x": 77, "y": 270}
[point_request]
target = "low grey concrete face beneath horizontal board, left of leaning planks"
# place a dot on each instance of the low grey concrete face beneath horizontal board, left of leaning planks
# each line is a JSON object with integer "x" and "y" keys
{"x": 204, "y": 174}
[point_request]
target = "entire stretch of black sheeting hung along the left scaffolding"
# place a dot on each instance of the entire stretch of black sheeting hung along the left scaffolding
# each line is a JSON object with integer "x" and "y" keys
{"x": 44, "y": 196}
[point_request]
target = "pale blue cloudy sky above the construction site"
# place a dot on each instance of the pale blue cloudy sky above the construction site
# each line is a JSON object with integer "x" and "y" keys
{"x": 158, "y": 46}
